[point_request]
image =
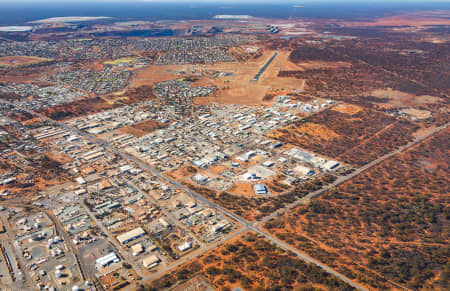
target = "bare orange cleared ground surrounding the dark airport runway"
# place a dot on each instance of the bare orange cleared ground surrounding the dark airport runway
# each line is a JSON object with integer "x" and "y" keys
{"x": 235, "y": 89}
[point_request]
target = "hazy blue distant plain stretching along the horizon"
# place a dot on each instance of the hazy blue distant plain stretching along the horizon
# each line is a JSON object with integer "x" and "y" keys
{"x": 24, "y": 11}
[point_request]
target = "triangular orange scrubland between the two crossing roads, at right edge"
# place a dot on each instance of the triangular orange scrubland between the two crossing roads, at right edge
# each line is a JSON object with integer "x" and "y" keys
{"x": 388, "y": 227}
